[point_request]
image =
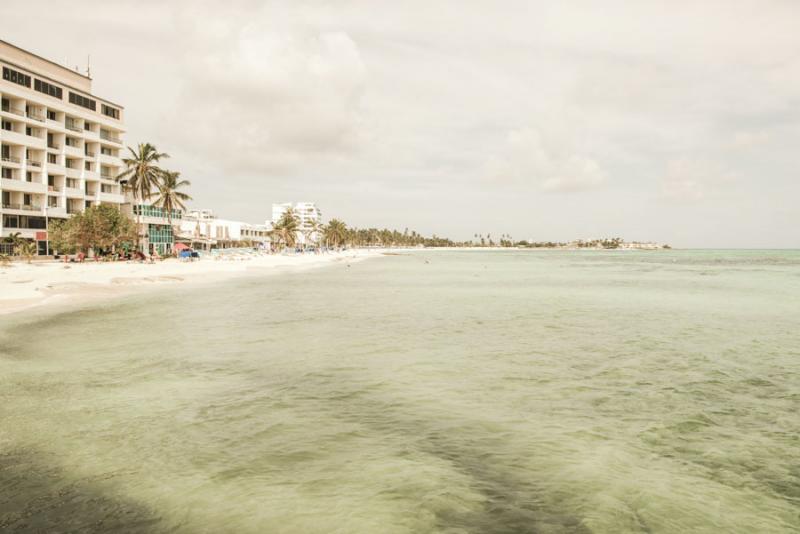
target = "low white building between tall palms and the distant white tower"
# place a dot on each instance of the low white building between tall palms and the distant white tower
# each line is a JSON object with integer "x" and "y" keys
{"x": 202, "y": 229}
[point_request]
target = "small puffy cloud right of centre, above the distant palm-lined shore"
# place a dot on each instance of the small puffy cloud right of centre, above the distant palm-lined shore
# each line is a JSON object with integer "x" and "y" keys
{"x": 527, "y": 158}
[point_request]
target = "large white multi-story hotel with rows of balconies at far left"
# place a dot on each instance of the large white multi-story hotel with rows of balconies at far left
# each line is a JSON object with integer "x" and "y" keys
{"x": 59, "y": 144}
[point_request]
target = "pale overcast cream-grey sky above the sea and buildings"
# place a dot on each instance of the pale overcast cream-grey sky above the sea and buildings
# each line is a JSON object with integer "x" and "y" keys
{"x": 677, "y": 122}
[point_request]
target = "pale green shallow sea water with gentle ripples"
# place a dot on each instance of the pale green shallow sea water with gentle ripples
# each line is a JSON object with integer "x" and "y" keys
{"x": 531, "y": 391}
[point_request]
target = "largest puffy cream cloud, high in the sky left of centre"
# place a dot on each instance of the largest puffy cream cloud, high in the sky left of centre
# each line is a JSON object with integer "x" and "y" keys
{"x": 267, "y": 100}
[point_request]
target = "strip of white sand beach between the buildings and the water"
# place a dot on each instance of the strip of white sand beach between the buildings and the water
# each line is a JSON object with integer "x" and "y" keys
{"x": 25, "y": 285}
